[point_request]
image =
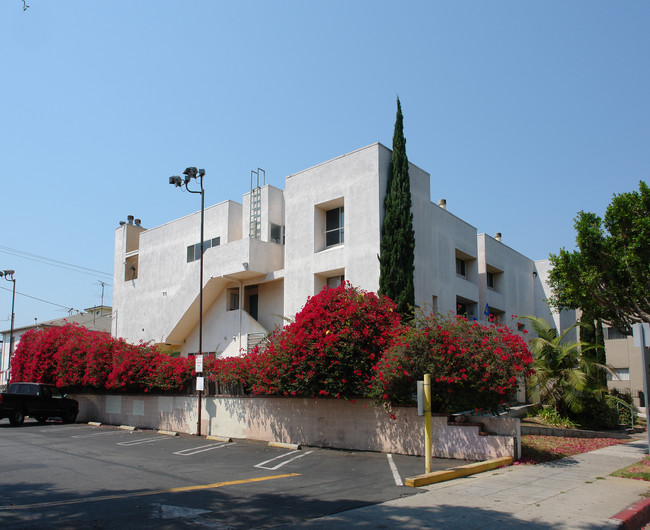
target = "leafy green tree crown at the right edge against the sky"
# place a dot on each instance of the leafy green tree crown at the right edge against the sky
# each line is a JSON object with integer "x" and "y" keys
{"x": 608, "y": 277}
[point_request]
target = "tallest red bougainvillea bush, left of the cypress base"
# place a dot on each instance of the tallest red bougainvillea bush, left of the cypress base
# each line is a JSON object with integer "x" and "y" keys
{"x": 329, "y": 349}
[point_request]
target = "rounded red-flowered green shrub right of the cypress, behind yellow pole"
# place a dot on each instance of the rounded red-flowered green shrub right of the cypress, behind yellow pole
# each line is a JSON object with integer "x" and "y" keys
{"x": 472, "y": 365}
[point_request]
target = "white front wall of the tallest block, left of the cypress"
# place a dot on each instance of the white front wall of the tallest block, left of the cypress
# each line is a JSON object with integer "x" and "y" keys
{"x": 353, "y": 181}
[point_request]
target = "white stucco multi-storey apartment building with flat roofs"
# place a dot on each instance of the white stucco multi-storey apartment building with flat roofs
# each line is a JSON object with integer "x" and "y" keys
{"x": 270, "y": 252}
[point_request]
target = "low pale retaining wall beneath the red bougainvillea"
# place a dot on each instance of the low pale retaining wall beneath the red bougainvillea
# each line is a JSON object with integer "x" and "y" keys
{"x": 355, "y": 424}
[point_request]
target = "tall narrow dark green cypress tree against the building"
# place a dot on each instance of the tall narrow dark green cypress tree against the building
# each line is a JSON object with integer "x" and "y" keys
{"x": 397, "y": 250}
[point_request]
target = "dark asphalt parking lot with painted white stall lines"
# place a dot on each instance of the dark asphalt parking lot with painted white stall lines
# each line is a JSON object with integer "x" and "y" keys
{"x": 83, "y": 476}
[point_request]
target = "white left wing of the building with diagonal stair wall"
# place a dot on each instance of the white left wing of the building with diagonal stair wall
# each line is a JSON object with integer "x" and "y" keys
{"x": 162, "y": 303}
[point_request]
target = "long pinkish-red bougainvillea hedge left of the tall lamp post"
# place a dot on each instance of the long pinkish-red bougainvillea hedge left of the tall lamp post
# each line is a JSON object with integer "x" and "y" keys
{"x": 72, "y": 356}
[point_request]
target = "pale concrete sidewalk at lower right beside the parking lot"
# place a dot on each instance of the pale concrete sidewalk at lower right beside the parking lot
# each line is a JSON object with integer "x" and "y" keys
{"x": 575, "y": 492}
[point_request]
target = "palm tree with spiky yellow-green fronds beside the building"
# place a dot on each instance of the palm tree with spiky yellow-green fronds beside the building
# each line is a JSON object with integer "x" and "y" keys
{"x": 562, "y": 373}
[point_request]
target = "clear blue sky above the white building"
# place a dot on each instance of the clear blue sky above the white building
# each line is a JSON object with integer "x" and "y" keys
{"x": 523, "y": 113}
